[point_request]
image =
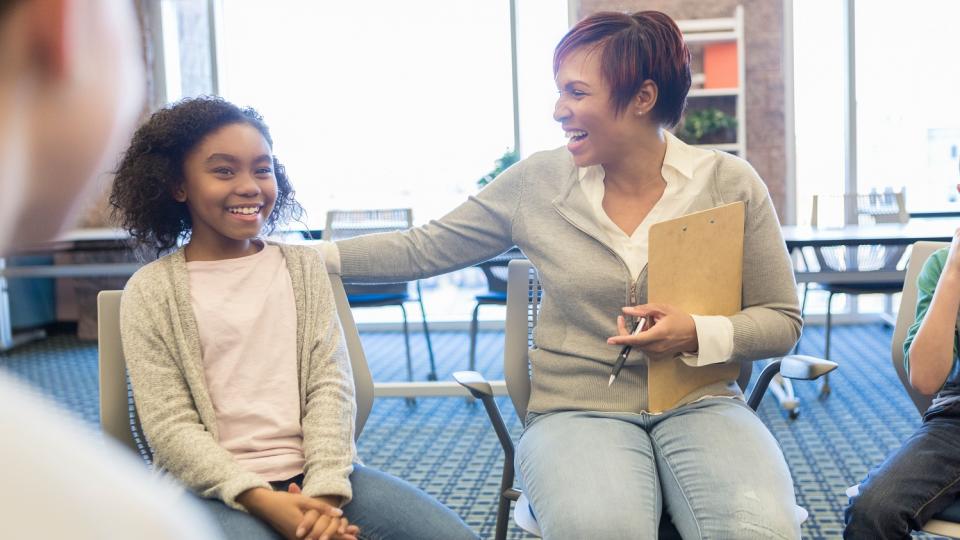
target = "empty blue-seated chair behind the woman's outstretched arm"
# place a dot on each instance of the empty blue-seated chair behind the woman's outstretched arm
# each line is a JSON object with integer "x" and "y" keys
{"x": 343, "y": 224}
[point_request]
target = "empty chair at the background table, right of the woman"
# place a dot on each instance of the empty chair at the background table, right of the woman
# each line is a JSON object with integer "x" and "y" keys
{"x": 871, "y": 208}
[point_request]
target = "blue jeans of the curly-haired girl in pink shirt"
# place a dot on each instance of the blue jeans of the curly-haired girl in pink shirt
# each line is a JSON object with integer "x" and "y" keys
{"x": 384, "y": 507}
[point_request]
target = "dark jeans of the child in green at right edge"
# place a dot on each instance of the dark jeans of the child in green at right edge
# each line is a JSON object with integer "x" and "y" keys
{"x": 914, "y": 483}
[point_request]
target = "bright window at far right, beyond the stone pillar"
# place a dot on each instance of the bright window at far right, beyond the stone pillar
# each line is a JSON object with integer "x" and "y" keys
{"x": 908, "y": 122}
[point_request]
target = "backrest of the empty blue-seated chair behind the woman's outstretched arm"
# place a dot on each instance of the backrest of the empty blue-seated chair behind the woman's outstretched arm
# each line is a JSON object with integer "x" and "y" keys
{"x": 344, "y": 224}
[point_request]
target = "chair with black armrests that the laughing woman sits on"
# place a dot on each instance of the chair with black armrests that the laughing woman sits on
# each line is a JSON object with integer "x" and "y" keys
{"x": 523, "y": 303}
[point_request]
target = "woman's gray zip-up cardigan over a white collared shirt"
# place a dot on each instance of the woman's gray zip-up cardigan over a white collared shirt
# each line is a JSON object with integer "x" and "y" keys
{"x": 538, "y": 206}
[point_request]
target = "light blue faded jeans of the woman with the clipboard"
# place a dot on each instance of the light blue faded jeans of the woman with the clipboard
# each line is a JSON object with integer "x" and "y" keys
{"x": 712, "y": 465}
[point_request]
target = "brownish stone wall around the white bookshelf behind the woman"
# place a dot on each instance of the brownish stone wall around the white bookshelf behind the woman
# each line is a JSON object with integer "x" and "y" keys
{"x": 763, "y": 37}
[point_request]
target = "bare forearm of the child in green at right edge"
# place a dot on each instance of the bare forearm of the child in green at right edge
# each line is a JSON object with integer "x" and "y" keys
{"x": 931, "y": 353}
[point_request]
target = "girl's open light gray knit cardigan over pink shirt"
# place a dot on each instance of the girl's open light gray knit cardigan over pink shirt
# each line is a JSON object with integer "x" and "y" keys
{"x": 162, "y": 349}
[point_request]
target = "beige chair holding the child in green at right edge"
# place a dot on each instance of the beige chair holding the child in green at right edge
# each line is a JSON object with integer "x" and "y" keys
{"x": 946, "y": 523}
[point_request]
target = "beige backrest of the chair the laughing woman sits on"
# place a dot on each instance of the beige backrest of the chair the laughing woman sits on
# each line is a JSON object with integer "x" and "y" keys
{"x": 524, "y": 296}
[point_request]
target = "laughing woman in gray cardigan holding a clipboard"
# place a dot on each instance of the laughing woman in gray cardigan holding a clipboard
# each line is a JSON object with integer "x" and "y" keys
{"x": 594, "y": 462}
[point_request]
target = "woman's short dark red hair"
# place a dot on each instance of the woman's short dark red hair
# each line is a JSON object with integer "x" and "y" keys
{"x": 646, "y": 45}
